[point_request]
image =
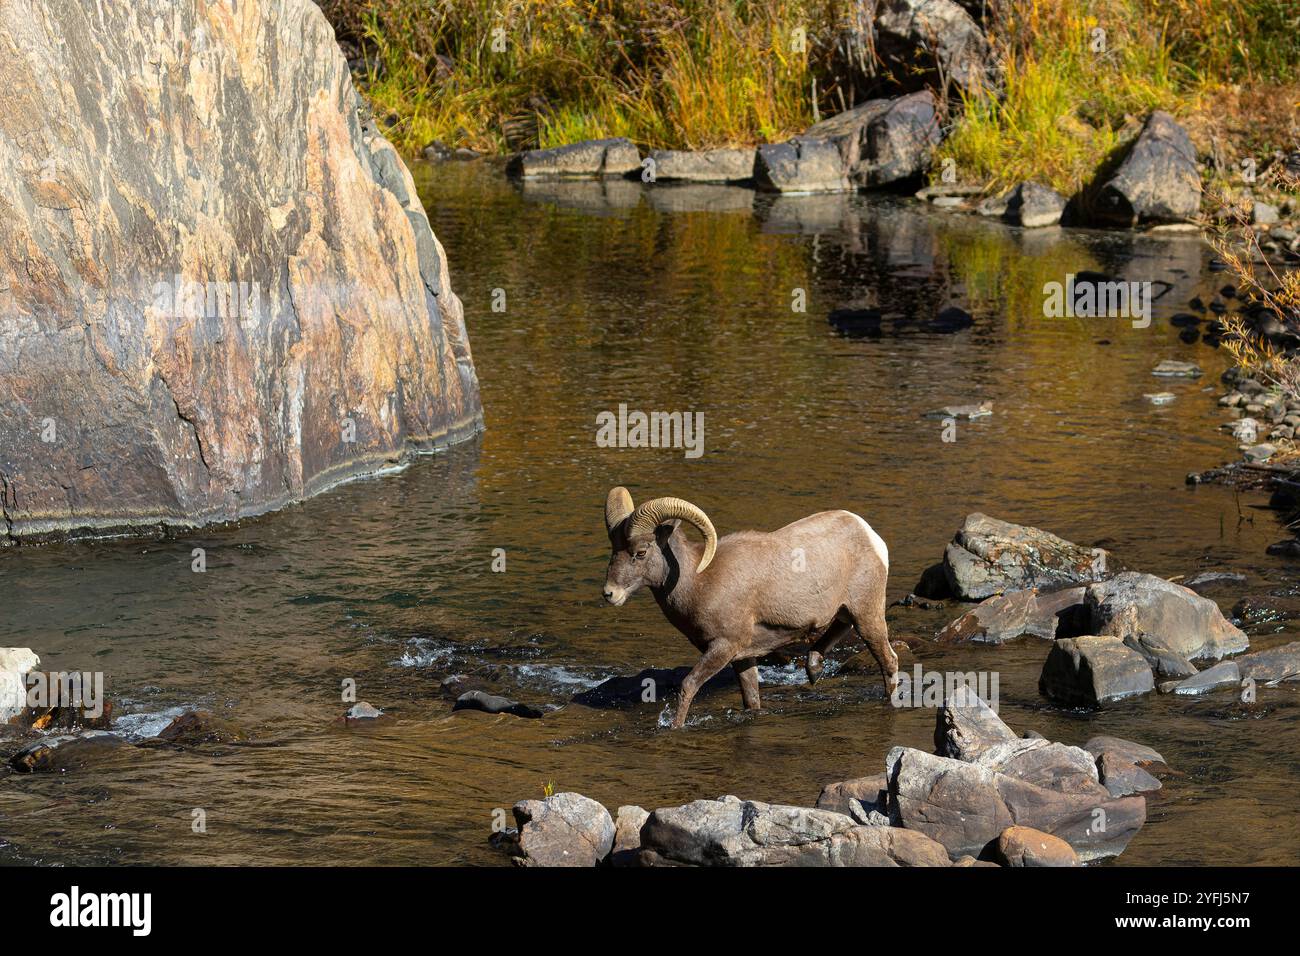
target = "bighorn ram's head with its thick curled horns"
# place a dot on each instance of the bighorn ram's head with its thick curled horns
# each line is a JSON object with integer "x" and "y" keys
{"x": 639, "y": 538}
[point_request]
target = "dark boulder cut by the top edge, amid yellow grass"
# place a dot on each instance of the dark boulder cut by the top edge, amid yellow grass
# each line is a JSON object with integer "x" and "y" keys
{"x": 915, "y": 45}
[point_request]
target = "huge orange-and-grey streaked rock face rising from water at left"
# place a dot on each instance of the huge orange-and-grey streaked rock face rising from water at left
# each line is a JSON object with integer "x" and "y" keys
{"x": 219, "y": 292}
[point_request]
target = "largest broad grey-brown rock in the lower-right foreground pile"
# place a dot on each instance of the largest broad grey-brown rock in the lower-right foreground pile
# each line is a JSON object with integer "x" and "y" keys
{"x": 965, "y": 807}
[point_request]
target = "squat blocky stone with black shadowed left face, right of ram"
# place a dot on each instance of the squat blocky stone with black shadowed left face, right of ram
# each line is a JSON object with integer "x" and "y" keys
{"x": 1091, "y": 671}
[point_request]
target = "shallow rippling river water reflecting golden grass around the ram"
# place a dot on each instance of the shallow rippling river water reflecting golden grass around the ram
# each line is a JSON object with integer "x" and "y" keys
{"x": 665, "y": 300}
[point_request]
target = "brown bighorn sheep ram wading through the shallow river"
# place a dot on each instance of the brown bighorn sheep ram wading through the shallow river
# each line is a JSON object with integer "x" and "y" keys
{"x": 744, "y": 596}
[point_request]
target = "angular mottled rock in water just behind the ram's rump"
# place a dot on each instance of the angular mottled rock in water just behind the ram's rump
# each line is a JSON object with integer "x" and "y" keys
{"x": 989, "y": 557}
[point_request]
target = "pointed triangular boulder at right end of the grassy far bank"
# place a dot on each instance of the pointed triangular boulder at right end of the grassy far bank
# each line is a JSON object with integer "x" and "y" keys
{"x": 1158, "y": 181}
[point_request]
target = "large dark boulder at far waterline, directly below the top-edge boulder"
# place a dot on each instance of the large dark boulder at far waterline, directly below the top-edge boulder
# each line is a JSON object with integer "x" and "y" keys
{"x": 883, "y": 142}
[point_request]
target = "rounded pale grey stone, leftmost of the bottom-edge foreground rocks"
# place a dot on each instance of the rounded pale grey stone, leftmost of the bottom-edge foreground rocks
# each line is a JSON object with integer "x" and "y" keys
{"x": 564, "y": 830}
